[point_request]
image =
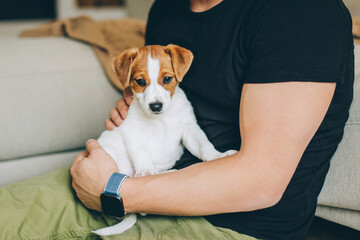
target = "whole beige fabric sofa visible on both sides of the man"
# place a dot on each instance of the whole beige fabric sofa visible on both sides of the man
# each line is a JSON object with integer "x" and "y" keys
{"x": 54, "y": 96}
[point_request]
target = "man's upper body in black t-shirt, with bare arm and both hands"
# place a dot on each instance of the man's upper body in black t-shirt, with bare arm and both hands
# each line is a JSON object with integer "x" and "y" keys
{"x": 288, "y": 67}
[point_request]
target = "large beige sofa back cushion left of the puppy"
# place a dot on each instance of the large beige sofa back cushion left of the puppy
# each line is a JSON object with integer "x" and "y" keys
{"x": 54, "y": 95}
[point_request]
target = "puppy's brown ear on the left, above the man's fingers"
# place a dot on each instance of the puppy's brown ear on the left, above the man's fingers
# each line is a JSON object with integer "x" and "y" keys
{"x": 122, "y": 65}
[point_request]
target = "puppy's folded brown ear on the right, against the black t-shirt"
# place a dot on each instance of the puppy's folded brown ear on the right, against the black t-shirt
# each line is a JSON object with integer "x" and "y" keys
{"x": 181, "y": 60}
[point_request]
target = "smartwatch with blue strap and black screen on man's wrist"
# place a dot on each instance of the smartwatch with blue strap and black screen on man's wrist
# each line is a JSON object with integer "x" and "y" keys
{"x": 111, "y": 201}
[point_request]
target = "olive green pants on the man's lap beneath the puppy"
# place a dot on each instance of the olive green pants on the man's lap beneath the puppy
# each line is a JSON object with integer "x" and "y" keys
{"x": 46, "y": 207}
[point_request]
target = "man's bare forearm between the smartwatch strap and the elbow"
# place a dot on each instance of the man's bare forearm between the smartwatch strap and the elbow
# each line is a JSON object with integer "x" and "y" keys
{"x": 230, "y": 184}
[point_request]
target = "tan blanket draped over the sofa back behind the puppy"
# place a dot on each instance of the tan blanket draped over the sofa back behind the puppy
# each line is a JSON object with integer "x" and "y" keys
{"x": 108, "y": 38}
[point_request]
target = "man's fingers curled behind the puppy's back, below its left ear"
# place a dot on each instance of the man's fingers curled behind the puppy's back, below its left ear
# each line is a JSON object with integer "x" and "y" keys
{"x": 118, "y": 114}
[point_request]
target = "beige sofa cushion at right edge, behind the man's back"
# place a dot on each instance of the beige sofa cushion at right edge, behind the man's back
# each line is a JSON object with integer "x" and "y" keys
{"x": 342, "y": 183}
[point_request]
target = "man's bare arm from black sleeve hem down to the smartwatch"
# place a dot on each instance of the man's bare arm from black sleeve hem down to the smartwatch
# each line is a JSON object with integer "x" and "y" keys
{"x": 277, "y": 122}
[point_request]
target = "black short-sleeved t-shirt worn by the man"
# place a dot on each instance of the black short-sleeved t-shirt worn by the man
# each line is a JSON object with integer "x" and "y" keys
{"x": 263, "y": 41}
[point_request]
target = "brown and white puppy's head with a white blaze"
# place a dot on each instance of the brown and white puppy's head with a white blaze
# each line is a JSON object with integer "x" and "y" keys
{"x": 153, "y": 72}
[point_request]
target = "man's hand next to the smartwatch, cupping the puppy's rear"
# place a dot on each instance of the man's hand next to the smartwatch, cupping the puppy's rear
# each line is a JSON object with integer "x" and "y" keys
{"x": 90, "y": 171}
